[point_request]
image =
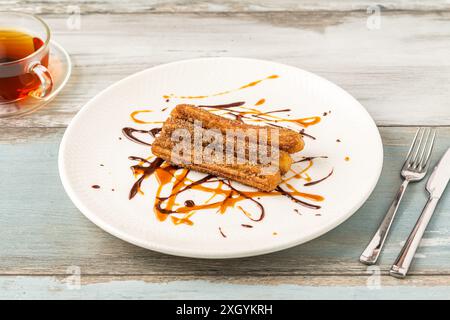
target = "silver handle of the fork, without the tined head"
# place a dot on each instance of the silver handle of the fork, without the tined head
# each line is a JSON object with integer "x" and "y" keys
{"x": 373, "y": 249}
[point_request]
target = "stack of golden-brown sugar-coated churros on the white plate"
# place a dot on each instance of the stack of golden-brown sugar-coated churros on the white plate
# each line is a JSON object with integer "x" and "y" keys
{"x": 264, "y": 174}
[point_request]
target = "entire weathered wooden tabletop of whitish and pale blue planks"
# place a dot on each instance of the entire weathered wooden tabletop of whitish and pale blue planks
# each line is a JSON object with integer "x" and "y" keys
{"x": 397, "y": 66}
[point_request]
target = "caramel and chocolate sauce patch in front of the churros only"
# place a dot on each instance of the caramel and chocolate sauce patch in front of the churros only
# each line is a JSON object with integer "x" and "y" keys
{"x": 178, "y": 180}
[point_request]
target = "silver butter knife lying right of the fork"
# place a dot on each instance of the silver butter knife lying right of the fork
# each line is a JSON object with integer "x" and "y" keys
{"x": 435, "y": 186}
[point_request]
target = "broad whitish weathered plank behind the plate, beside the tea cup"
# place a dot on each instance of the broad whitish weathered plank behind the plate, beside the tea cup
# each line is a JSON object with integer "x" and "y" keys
{"x": 399, "y": 72}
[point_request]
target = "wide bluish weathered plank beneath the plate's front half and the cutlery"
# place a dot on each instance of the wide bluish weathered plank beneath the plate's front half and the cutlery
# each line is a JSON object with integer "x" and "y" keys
{"x": 43, "y": 233}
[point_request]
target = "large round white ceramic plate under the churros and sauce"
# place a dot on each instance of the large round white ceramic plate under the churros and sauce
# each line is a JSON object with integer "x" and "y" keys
{"x": 94, "y": 152}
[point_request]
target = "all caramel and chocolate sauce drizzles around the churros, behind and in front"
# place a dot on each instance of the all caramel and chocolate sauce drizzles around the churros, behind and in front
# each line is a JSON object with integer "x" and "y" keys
{"x": 223, "y": 195}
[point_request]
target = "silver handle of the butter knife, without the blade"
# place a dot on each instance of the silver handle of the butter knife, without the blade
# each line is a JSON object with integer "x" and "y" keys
{"x": 401, "y": 266}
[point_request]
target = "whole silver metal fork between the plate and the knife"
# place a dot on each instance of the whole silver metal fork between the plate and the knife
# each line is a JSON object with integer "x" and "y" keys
{"x": 414, "y": 169}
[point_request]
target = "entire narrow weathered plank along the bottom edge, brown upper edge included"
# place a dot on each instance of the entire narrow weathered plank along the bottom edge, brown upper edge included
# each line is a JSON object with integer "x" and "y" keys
{"x": 147, "y": 287}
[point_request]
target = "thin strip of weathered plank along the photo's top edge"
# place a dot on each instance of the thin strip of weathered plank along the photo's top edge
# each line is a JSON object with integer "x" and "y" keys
{"x": 139, "y": 6}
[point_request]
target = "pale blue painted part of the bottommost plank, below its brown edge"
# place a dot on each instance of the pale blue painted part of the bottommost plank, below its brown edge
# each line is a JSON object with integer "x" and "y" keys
{"x": 50, "y": 288}
